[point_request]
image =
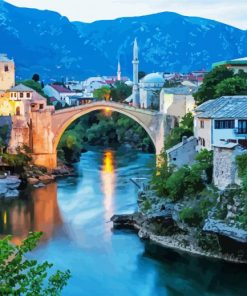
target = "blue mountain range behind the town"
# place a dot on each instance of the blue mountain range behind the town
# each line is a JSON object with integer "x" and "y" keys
{"x": 48, "y": 43}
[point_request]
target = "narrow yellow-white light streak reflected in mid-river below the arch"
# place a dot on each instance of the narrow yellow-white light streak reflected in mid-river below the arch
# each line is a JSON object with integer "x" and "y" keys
{"x": 108, "y": 182}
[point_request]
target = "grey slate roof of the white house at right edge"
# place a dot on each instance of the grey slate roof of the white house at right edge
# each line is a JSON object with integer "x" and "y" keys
{"x": 224, "y": 107}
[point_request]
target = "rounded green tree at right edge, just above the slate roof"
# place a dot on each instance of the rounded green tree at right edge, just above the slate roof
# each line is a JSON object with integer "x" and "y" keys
{"x": 231, "y": 86}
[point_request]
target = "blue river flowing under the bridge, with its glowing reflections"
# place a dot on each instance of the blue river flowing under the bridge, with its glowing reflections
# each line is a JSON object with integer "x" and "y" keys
{"x": 74, "y": 215}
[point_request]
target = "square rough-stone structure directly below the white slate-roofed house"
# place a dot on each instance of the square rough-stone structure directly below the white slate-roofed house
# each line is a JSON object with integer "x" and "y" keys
{"x": 225, "y": 170}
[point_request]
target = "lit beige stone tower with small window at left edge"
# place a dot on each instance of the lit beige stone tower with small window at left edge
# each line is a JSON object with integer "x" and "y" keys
{"x": 7, "y": 73}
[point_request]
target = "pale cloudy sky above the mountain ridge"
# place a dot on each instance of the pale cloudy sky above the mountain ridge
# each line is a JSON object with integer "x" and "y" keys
{"x": 231, "y": 12}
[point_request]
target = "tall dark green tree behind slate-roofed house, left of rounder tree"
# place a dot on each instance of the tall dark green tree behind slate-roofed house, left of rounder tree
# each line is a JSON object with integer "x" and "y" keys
{"x": 207, "y": 90}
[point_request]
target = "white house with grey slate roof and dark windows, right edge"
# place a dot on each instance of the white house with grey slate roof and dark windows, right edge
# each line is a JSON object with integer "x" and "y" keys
{"x": 221, "y": 120}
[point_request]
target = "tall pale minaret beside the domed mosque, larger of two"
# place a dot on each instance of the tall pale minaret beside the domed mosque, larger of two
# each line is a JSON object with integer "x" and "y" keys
{"x": 135, "y": 92}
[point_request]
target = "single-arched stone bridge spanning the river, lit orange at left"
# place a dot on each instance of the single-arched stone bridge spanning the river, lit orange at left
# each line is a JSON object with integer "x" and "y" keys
{"x": 45, "y": 140}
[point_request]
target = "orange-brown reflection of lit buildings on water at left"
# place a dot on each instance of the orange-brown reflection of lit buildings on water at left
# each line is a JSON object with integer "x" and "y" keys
{"x": 39, "y": 213}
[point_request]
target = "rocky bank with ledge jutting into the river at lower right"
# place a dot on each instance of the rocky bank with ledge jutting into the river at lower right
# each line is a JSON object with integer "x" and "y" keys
{"x": 162, "y": 225}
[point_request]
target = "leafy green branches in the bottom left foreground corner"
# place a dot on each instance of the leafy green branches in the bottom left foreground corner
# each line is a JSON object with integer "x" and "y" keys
{"x": 21, "y": 276}
